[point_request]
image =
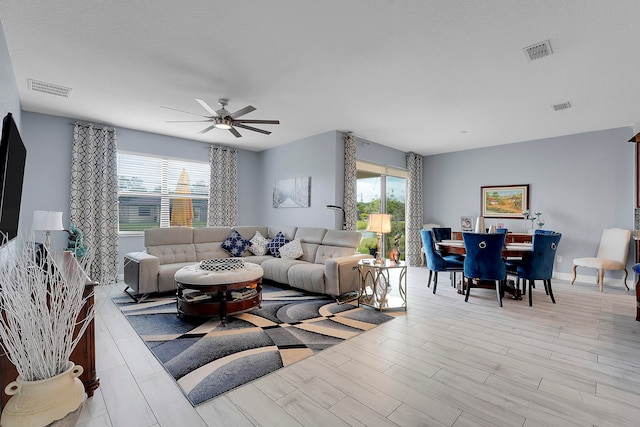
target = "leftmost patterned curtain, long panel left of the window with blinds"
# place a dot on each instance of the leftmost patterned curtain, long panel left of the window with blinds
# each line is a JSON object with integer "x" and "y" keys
{"x": 94, "y": 197}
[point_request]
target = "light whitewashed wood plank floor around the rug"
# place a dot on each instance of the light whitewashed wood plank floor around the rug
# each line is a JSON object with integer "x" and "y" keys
{"x": 442, "y": 363}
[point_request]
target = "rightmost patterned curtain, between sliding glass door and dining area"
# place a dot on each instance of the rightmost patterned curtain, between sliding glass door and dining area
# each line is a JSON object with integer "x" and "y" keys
{"x": 414, "y": 209}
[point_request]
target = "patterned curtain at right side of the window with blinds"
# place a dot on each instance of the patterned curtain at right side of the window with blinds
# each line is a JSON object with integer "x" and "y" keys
{"x": 223, "y": 190}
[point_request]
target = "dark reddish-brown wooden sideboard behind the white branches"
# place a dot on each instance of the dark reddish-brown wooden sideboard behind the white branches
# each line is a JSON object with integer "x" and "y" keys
{"x": 84, "y": 354}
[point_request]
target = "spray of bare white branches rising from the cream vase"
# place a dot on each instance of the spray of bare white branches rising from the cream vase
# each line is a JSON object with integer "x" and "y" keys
{"x": 41, "y": 298}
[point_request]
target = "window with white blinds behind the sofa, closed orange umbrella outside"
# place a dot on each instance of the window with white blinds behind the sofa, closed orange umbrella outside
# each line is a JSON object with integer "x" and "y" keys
{"x": 161, "y": 192}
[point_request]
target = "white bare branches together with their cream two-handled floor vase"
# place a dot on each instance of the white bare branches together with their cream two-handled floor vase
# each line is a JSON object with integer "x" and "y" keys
{"x": 41, "y": 299}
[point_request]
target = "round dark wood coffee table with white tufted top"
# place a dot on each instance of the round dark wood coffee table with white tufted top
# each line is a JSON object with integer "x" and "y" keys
{"x": 207, "y": 293}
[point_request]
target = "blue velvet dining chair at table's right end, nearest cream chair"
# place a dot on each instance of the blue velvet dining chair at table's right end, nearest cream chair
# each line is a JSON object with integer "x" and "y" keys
{"x": 538, "y": 265}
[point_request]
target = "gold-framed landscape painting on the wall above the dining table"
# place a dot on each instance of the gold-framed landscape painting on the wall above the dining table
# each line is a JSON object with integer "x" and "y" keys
{"x": 504, "y": 201}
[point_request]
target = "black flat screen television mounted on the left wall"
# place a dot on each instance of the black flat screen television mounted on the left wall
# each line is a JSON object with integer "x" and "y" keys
{"x": 13, "y": 156}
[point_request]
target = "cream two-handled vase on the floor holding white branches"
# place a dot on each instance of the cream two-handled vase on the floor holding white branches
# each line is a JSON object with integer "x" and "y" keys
{"x": 39, "y": 403}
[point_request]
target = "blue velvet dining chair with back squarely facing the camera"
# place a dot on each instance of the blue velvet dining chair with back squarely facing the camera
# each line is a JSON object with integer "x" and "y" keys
{"x": 483, "y": 261}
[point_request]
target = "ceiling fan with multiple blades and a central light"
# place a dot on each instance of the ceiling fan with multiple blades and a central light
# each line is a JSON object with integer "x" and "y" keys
{"x": 222, "y": 119}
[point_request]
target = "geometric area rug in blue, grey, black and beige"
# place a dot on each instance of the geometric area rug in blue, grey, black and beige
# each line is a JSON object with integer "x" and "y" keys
{"x": 208, "y": 359}
